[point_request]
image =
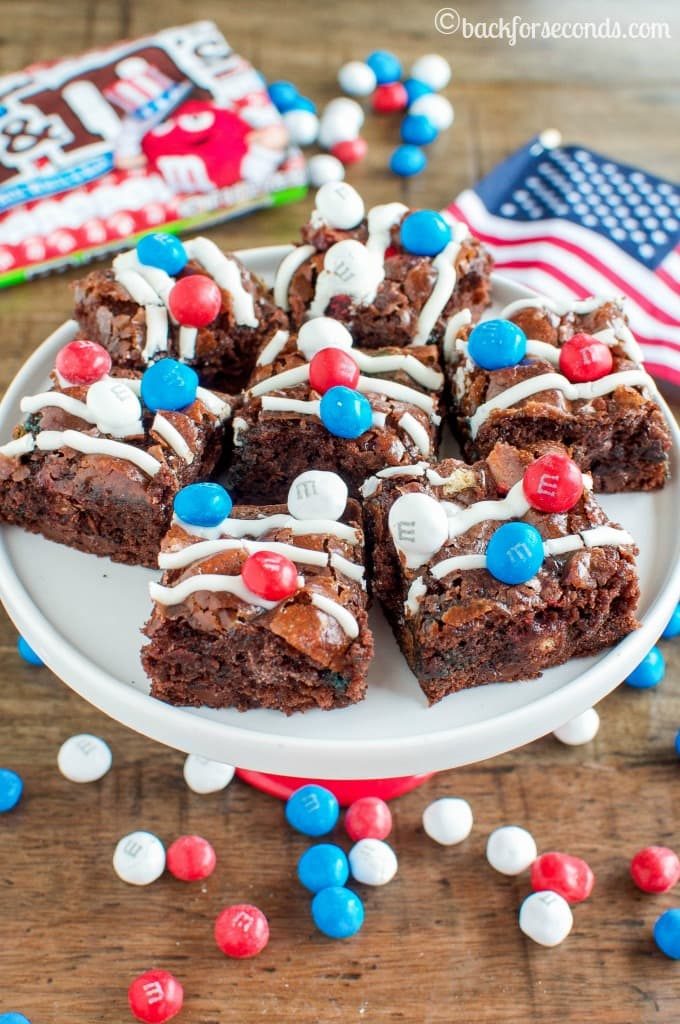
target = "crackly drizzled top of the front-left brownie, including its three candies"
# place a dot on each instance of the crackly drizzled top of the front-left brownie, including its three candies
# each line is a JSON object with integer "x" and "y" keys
{"x": 295, "y": 570}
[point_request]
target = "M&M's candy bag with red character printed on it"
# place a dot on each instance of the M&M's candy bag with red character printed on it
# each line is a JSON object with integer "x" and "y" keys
{"x": 173, "y": 131}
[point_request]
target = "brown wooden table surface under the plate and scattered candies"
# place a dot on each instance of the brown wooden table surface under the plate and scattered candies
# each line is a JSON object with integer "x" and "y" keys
{"x": 442, "y": 943}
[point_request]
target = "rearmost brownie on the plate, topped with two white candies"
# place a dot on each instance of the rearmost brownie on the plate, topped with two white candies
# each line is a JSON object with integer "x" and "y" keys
{"x": 355, "y": 268}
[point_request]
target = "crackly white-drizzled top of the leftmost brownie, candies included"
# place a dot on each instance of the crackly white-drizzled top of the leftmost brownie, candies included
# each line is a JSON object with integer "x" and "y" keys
{"x": 136, "y": 432}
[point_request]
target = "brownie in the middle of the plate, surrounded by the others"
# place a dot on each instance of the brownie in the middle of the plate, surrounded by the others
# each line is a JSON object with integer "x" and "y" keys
{"x": 286, "y": 422}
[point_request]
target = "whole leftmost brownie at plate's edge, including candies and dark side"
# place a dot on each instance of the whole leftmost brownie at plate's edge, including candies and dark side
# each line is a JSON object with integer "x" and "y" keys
{"x": 94, "y": 466}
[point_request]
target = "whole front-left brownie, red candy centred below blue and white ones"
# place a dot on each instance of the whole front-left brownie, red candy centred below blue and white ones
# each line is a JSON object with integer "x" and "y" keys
{"x": 265, "y": 608}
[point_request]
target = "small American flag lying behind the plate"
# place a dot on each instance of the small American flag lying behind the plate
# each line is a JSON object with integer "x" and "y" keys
{"x": 569, "y": 223}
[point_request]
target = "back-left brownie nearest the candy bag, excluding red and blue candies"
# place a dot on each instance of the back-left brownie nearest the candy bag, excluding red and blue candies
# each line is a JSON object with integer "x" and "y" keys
{"x": 110, "y": 308}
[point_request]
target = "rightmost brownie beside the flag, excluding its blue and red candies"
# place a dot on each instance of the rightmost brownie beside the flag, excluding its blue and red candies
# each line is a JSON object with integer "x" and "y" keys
{"x": 620, "y": 437}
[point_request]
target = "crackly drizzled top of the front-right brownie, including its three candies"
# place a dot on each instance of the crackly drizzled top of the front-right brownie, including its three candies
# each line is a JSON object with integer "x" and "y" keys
{"x": 512, "y": 529}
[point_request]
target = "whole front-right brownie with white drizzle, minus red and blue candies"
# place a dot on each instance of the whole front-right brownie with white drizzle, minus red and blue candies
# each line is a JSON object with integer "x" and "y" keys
{"x": 462, "y": 627}
